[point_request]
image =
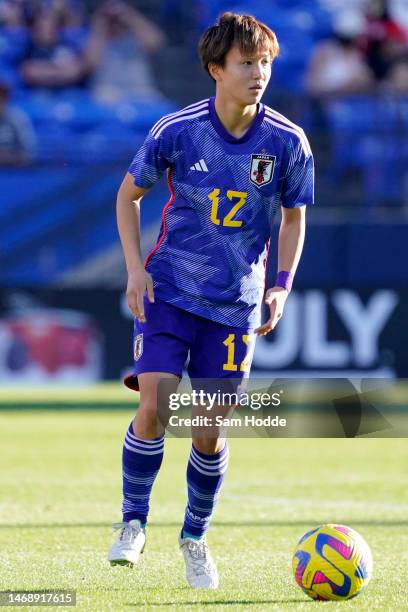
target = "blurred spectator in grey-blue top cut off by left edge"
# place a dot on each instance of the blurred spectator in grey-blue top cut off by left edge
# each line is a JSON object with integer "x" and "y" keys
{"x": 16, "y": 134}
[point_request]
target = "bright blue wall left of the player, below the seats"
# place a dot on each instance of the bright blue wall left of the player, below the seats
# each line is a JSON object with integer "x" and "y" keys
{"x": 59, "y": 216}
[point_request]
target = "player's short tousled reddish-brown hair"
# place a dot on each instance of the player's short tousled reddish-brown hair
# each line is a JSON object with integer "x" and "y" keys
{"x": 244, "y": 31}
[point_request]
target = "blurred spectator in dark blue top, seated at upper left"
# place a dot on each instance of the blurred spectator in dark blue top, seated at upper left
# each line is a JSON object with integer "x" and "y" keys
{"x": 52, "y": 61}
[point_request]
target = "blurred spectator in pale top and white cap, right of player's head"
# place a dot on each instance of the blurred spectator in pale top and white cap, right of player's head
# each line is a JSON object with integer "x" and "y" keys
{"x": 338, "y": 65}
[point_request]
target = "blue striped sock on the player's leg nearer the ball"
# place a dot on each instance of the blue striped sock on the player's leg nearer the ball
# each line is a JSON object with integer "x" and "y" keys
{"x": 205, "y": 475}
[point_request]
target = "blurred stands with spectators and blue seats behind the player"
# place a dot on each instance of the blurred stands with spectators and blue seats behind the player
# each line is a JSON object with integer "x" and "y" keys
{"x": 83, "y": 81}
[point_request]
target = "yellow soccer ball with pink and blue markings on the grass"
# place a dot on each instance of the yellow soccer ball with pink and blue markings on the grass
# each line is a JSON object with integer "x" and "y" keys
{"x": 332, "y": 562}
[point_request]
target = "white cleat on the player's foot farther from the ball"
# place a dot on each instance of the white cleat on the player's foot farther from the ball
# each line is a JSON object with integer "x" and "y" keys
{"x": 129, "y": 545}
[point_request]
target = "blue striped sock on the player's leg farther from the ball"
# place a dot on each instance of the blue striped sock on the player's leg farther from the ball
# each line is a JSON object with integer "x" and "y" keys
{"x": 141, "y": 461}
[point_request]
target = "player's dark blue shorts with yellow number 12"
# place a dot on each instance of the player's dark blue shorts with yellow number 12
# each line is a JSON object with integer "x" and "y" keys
{"x": 172, "y": 336}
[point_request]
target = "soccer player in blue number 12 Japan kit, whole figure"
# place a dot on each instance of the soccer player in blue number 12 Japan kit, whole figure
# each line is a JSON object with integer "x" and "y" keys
{"x": 230, "y": 162}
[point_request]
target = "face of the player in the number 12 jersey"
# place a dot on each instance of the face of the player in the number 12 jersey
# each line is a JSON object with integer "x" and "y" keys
{"x": 244, "y": 77}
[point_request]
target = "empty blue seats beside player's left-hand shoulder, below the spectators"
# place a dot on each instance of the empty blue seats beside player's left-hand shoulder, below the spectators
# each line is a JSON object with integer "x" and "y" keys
{"x": 72, "y": 127}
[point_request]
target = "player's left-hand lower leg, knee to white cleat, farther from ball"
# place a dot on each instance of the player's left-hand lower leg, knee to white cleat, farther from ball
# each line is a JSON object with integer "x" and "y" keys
{"x": 142, "y": 456}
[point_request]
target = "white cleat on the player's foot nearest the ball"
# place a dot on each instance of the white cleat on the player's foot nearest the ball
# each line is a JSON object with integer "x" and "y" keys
{"x": 201, "y": 571}
